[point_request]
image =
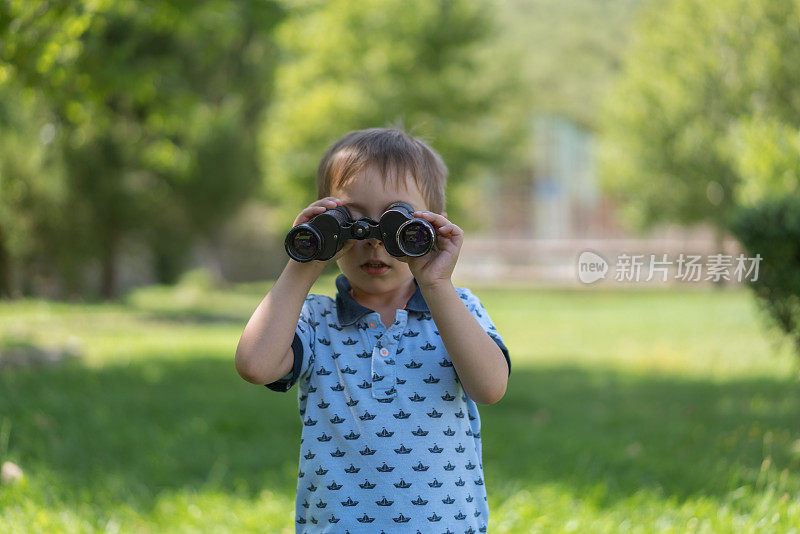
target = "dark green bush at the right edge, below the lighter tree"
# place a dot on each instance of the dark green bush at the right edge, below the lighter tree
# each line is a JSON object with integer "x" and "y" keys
{"x": 772, "y": 229}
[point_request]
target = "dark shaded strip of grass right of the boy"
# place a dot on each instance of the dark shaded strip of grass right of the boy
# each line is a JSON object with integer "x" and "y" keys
{"x": 678, "y": 437}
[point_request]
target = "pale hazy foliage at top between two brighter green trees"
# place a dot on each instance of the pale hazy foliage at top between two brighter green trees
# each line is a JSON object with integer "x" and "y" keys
{"x": 566, "y": 54}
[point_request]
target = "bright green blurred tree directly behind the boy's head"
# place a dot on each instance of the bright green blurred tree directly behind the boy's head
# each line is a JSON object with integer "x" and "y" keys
{"x": 420, "y": 64}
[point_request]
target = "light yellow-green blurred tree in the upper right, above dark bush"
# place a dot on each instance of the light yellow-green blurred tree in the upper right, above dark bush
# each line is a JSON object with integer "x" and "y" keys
{"x": 698, "y": 77}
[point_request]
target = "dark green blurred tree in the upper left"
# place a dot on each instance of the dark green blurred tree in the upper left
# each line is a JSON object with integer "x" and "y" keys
{"x": 157, "y": 106}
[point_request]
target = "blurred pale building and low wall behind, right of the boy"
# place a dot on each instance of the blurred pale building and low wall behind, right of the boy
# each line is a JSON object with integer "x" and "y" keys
{"x": 545, "y": 217}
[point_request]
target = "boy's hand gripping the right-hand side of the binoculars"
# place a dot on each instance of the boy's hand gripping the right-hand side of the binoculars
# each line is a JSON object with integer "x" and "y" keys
{"x": 437, "y": 265}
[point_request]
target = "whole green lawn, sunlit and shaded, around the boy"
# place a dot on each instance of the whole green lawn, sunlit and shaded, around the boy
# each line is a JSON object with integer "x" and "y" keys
{"x": 625, "y": 412}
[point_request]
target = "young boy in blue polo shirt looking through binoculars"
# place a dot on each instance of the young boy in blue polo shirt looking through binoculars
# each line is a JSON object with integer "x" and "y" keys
{"x": 391, "y": 370}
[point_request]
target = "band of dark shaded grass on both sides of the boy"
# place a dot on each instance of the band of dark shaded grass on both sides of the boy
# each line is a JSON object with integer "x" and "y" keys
{"x": 126, "y": 433}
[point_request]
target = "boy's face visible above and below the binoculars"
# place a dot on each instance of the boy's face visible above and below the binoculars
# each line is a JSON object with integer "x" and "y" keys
{"x": 369, "y": 196}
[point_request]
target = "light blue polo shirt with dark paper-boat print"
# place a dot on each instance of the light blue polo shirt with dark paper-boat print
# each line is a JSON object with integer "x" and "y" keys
{"x": 391, "y": 441}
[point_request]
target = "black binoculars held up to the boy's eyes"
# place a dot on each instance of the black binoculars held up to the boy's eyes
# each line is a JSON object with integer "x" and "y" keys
{"x": 323, "y": 236}
